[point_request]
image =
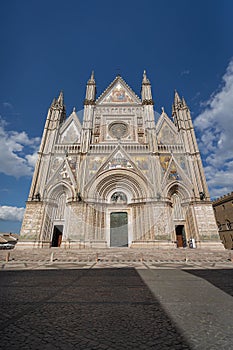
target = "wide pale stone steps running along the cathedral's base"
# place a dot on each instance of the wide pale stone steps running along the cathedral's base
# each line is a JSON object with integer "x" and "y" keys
{"x": 121, "y": 254}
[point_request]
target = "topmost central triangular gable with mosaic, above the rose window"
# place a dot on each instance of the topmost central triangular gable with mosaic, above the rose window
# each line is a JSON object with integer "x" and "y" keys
{"x": 118, "y": 92}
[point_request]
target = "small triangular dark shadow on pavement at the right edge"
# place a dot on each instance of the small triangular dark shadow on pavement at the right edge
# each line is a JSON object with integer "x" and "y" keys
{"x": 220, "y": 278}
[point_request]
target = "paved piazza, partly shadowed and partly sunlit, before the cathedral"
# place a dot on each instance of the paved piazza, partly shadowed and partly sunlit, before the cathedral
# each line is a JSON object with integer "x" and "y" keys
{"x": 116, "y": 303}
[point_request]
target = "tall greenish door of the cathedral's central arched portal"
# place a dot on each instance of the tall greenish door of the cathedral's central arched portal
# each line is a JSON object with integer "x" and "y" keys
{"x": 119, "y": 229}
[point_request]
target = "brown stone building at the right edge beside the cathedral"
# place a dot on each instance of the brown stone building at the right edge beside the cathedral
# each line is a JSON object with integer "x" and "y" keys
{"x": 223, "y": 209}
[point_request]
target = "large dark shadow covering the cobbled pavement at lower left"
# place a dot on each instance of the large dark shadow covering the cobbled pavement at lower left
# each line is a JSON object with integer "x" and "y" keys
{"x": 83, "y": 309}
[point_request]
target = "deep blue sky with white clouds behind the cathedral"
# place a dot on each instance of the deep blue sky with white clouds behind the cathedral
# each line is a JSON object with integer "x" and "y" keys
{"x": 48, "y": 46}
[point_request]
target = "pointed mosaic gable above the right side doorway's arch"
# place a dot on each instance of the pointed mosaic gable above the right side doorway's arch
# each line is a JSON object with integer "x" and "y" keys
{"x": 174, "y": 173}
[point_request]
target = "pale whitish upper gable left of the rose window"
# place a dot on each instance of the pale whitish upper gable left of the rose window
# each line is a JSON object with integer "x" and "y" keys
{"x": 71, "y": 130}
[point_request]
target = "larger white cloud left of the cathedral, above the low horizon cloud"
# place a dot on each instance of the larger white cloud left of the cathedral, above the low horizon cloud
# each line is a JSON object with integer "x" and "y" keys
{"x": 17, "y": 156}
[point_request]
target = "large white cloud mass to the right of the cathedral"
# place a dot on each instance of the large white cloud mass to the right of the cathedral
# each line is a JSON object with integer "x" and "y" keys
{"x": 215, "y": 124}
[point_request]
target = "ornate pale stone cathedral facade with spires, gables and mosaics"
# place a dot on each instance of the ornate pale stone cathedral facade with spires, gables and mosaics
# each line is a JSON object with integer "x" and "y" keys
{"x": 121, "y": 178}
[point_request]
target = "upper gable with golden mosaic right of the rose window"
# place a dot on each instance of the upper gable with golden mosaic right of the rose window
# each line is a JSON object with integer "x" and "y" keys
{"x": 166, "y": 131}
